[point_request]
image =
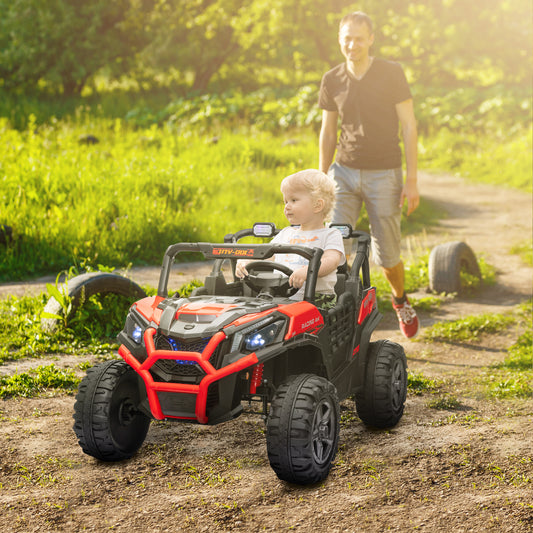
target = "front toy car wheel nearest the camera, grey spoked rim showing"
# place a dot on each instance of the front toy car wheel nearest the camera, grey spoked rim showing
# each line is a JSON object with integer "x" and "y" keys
{"x": 303, "y": 429}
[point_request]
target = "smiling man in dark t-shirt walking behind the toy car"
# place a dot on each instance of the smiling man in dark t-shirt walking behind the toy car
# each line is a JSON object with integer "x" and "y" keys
{"x": 371, "y": 97}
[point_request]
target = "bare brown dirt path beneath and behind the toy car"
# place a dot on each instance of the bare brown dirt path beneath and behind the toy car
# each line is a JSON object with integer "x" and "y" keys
{"x": 465, "y": 468}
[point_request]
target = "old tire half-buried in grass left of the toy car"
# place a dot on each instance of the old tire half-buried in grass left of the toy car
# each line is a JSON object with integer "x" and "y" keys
{"x": 81, "y": 287}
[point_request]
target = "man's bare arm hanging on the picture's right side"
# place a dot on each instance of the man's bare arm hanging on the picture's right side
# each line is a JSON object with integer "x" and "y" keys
{"x": 406, "y": 116}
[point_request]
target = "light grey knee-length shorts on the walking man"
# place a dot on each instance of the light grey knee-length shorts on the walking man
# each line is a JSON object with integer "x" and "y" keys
{"x": 380, "y": 190}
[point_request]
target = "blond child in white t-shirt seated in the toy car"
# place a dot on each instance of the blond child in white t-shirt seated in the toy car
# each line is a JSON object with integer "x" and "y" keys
{"x": 309, "y": 196}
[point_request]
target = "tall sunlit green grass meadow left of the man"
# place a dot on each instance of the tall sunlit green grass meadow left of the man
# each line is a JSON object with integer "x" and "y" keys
{"x": 136, "y": 191}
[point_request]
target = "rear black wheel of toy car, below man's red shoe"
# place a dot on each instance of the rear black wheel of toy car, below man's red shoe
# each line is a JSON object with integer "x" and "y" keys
{"x": 381, "y": 402}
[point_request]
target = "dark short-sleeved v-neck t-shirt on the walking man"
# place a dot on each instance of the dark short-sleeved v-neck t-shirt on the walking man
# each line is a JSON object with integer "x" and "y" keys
{"x": 367, "y": 108}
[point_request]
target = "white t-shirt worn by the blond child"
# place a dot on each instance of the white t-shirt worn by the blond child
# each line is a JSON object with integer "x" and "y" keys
{"x": 325, "y": 238}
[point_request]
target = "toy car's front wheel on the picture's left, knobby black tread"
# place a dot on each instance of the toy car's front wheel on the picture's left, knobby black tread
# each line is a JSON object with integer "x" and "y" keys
{"x": 107, "y": 421}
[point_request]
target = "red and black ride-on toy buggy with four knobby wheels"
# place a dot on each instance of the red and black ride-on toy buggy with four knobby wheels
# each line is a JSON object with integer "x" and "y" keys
{"x": 197, "y": 359}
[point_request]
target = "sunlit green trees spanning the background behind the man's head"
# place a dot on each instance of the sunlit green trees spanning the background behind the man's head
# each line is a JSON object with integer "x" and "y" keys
{"x": 216, "y": 44}
